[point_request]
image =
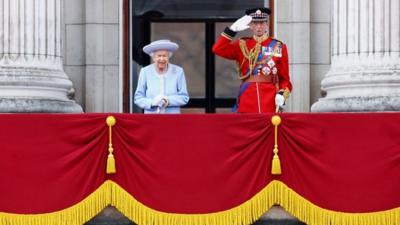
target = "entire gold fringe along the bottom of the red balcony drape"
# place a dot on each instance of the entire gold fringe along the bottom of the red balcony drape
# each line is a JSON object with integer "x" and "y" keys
{"x": 274, "y": 193}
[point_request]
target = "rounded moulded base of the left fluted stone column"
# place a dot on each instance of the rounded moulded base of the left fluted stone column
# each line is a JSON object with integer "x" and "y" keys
{"x": 33, "y": 90}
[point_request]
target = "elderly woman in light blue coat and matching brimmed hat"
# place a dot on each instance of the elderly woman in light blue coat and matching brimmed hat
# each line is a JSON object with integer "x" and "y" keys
{"x": 161, "y": 86}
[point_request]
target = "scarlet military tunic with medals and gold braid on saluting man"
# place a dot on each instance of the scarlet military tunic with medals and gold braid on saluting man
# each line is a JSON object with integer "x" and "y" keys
{"x": 269, "y": 59}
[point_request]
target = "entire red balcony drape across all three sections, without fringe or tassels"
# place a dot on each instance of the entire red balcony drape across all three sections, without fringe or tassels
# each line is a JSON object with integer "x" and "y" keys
{"x": 200, "y": 163}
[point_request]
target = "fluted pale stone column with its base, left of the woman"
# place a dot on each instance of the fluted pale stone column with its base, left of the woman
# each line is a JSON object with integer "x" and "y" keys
{"x": 31, "y": 74}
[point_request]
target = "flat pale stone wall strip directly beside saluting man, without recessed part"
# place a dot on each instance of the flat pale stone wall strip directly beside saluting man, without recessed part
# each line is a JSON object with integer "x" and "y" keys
{"x": 293, "y": 28}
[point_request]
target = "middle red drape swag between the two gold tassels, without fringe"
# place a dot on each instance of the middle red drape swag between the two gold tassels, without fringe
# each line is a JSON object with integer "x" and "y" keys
{"x": 193, "y": 163}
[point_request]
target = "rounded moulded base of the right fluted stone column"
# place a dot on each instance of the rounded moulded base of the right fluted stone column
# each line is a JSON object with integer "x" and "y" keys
{"x": 370, "y": 89}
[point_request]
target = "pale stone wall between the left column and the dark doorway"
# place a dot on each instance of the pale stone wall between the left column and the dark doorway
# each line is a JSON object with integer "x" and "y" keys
{"x": 91, "y": 42}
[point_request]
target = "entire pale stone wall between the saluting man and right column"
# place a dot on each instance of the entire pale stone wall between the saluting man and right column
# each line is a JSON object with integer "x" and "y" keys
{"x": 304, "y": 25}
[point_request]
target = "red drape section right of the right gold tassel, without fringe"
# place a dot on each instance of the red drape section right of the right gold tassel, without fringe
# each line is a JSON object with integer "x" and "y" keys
{"x": 347, "y": 162}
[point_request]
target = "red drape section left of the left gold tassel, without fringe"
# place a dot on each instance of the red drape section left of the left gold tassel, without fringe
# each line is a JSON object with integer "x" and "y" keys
{"x": 49, "y": 161}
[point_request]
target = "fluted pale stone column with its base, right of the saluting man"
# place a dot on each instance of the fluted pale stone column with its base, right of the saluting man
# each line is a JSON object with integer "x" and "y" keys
{"x": 365, "y": 70}
